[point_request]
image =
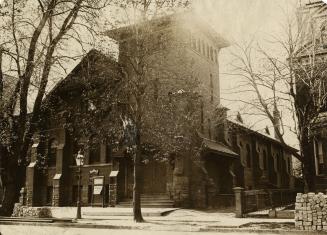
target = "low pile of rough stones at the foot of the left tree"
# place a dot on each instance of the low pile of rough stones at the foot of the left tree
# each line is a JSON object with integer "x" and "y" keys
{"x": 35, "y": 212}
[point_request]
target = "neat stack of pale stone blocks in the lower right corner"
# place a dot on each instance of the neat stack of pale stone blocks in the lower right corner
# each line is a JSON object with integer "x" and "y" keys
{"x": 311, "y": 211}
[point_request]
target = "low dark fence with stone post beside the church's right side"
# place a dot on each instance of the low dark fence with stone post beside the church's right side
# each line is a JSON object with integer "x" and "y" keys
{"x": 253, "y": 200}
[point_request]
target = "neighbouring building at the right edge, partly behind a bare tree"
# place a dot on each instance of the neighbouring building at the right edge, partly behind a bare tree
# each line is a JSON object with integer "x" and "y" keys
{"x": 312, "y": 57}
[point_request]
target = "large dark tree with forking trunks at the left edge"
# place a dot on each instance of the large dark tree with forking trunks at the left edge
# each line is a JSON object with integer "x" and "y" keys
{"x": 34, "y": 46}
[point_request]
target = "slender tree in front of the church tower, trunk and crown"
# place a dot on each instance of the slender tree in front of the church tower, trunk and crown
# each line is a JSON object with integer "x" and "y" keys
{"x": 138, "y": 56}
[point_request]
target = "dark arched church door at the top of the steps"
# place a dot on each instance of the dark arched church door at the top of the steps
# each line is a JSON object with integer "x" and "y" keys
{"x": 154, "y": 177}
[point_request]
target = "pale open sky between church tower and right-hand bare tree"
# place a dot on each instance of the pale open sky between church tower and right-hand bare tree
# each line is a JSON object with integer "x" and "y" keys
{"x": 240, "y": 21}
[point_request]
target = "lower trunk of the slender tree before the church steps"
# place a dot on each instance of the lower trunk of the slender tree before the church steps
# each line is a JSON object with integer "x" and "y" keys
{"x": 137, "y": 188}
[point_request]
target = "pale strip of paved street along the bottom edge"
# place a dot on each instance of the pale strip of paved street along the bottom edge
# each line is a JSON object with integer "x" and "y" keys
{"x": 43, "y": 230}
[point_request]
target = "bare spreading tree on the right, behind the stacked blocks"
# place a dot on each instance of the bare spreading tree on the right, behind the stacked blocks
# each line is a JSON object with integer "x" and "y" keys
{"x": 289, "y": 87}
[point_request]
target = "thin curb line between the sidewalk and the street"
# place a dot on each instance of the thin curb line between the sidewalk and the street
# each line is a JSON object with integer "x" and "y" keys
{"x": 224, "y": 229}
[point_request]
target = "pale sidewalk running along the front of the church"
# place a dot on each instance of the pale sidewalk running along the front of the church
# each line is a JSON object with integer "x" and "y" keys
{"x": 183, "y": 220}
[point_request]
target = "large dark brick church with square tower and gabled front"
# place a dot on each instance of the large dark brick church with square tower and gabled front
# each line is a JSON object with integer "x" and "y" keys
{"x": 232, "y": 155}
